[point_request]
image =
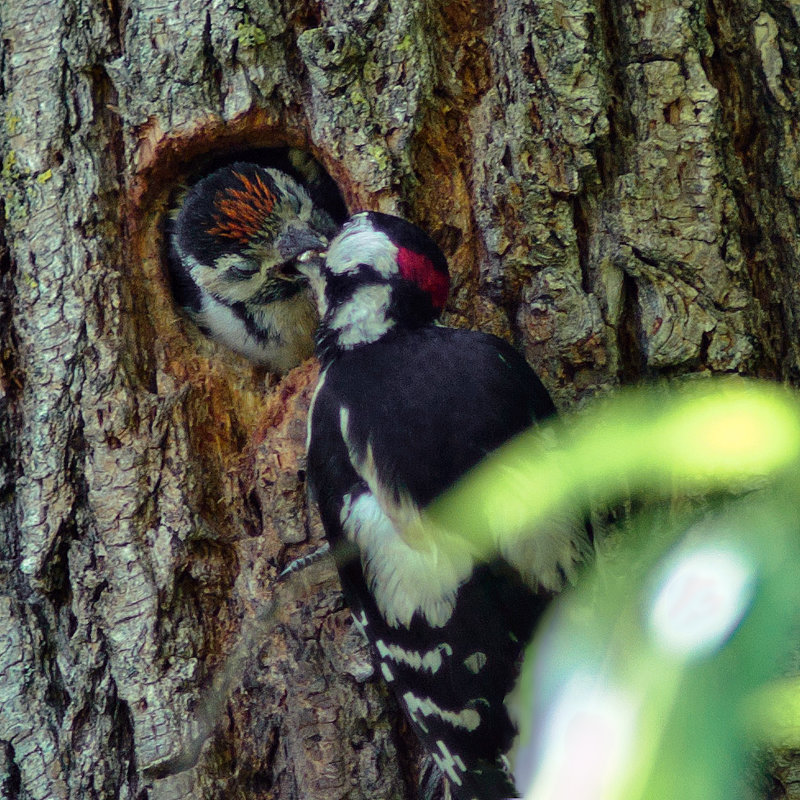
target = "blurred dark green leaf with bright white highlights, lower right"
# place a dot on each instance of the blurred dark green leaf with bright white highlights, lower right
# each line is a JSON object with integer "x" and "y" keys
{"x": 656, "y": 668}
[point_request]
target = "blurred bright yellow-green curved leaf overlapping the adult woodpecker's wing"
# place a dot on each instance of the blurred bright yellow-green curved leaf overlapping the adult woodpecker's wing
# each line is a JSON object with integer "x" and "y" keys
{"x": 699, "y": 437}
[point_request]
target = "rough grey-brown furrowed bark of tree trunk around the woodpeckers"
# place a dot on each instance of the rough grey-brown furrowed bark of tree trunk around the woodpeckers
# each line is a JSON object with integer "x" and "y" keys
{"x": 616, "y": 184}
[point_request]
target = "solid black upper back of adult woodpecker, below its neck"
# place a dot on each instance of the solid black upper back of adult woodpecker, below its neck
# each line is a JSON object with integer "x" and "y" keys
{"x": 399, "y": 389}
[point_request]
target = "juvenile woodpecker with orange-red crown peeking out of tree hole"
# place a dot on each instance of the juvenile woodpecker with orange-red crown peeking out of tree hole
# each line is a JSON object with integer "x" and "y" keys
{"x": 233, "y": 242}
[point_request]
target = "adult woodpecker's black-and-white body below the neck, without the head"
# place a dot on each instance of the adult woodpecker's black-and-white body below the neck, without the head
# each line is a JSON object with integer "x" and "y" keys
{"x": 394, "y": 424}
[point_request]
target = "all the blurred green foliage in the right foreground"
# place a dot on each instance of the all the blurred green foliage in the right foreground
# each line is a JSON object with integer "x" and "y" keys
{"x": 653, "y": 678}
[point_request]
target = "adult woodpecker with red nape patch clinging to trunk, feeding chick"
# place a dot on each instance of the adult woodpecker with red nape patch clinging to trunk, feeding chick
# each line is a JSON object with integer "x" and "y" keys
{"x": 403, "y": 408}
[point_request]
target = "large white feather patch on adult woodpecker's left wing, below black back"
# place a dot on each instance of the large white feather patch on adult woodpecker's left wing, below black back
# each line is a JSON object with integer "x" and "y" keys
{"x": 403, "y": 580}
